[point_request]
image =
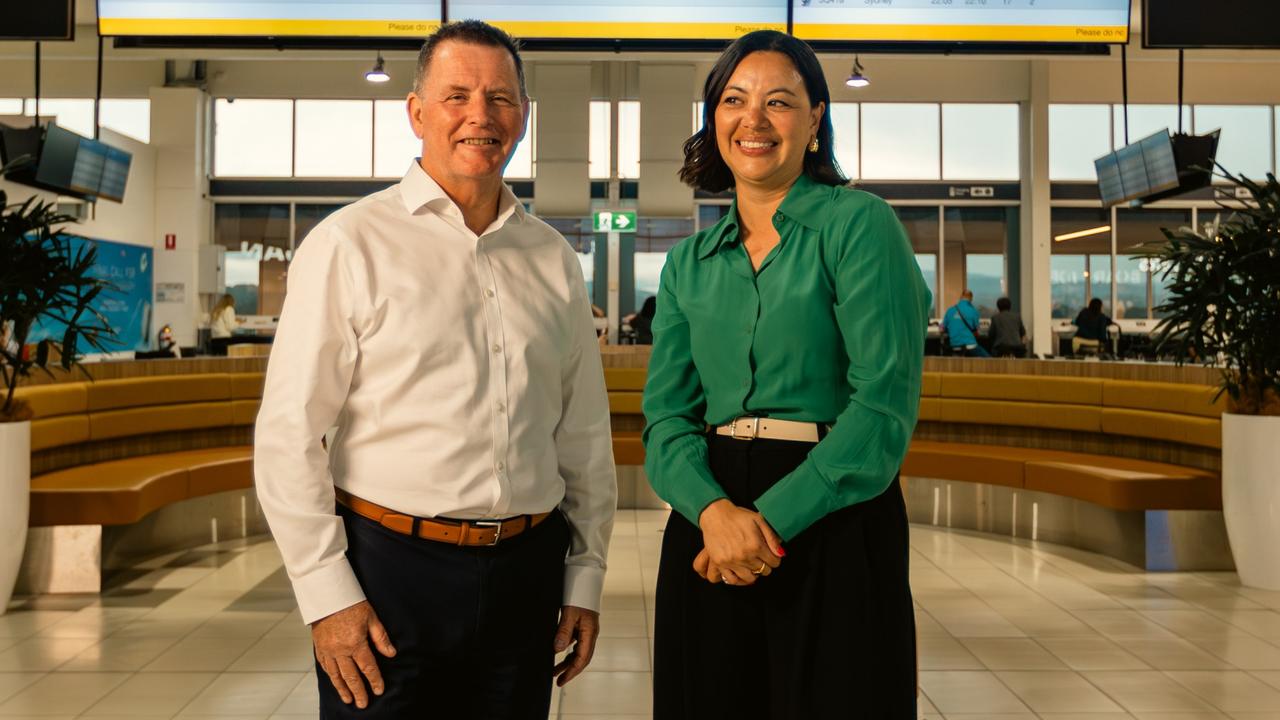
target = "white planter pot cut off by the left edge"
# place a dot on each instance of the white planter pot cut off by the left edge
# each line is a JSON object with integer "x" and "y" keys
{"x": 15, "y": 503}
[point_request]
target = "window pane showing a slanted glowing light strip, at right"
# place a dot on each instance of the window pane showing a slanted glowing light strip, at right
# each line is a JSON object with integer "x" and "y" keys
{"x": 1082, "y": 238}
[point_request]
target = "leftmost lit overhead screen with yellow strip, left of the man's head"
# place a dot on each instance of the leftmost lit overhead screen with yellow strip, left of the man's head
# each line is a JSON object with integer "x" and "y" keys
{"x": 268, "y": 19}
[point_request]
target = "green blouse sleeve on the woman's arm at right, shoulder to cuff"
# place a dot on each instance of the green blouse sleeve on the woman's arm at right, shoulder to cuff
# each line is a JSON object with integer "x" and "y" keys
{"x": 883, "y": 312}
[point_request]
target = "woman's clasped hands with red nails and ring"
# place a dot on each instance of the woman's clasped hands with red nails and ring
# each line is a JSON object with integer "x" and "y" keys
{"x": 739, "y": 546}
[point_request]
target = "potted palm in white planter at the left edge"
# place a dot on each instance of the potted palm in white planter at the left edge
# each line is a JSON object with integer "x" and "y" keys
{"x": 45, "y": 284}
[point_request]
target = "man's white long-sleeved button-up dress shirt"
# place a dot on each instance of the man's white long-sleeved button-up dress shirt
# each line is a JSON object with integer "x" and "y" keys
{"x": 463, "y": 375}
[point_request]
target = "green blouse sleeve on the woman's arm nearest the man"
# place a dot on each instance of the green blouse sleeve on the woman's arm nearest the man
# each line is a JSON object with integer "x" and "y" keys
{"x": 675, "y": 408}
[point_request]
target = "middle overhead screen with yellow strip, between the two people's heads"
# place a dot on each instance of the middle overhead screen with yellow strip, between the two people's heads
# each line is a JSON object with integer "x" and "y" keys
{"x": 639, "y": 20}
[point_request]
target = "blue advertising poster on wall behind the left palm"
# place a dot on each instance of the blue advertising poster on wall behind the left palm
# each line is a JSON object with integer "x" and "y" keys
{"x": 129, "y": 307}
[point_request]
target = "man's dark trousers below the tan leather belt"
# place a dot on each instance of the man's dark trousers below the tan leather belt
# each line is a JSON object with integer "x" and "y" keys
{"x": 474, "y": 628}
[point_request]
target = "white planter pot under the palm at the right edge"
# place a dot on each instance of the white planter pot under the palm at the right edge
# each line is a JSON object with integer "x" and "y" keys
{"x": 1251, "y": 496}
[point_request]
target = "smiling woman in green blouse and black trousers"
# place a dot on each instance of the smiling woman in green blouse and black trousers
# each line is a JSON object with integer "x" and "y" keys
{"x": 798, "y": 321}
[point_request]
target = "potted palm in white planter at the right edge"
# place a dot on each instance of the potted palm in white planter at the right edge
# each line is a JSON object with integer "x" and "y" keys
{"x": 1224, "y": 308}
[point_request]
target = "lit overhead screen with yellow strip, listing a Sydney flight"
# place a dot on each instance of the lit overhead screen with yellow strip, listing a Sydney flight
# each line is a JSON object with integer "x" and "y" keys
{"x": 963, "y": 21}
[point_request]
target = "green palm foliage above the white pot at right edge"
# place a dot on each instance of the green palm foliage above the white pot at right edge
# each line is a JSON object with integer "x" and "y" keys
{"x": 1224, "y": 297}
